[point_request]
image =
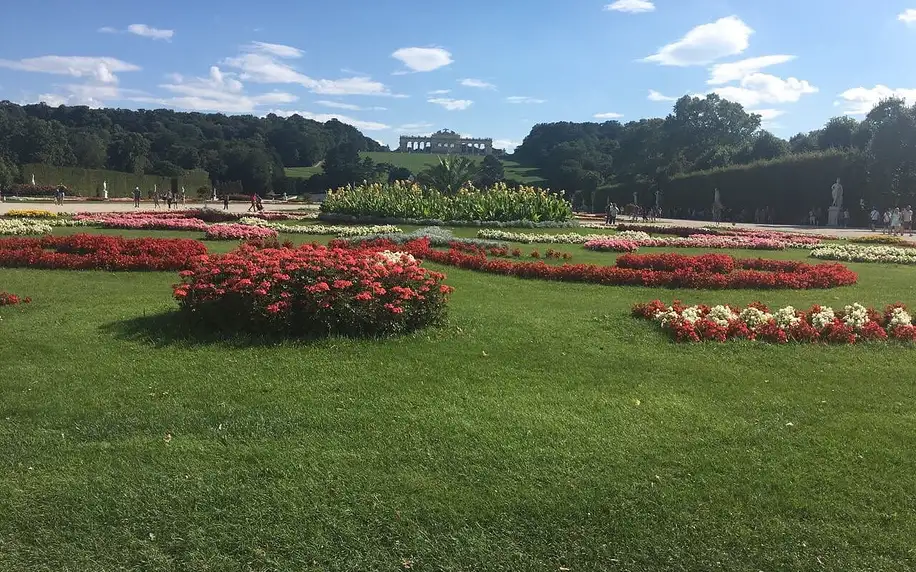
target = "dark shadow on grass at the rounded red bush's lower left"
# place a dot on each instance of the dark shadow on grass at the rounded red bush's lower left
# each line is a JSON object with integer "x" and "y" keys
{"x": 172, "y": 328}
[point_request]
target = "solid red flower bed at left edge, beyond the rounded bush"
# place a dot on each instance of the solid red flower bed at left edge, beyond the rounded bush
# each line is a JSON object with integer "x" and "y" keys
{"x": 93, "y": 252}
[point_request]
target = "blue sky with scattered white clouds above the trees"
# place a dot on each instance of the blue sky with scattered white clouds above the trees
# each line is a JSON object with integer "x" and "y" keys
{"x": 483, "y": 68}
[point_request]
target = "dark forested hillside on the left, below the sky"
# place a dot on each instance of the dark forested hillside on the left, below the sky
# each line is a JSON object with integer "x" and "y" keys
{"x": 241, "y": 148}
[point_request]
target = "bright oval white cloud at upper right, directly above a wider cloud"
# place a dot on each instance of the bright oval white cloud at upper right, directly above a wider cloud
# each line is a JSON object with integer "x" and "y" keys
{"x": 706, "y": 43}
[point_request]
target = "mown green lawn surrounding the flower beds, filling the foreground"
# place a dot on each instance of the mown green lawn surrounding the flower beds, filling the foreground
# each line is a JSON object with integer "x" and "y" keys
{"x": 541, "y": 428}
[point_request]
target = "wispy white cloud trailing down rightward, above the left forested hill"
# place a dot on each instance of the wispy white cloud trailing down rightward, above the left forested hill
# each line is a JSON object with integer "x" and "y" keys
{"x": 263, "y": 63}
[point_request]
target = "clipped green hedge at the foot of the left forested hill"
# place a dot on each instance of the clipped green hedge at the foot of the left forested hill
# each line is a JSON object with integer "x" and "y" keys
{"x": 88, "y": 182}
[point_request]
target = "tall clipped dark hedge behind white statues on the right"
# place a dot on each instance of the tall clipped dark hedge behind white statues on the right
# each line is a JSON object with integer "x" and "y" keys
{"x": 792, "y": 186}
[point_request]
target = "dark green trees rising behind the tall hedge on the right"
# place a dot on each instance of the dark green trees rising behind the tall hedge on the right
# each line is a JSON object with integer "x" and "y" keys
{"x": 709, "y": 133}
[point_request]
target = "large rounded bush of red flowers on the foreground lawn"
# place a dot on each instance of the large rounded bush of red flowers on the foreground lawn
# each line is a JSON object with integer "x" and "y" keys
{"x": 313, "y": 290}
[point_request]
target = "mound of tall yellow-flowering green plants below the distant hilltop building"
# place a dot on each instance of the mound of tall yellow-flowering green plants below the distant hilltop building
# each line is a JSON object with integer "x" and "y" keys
{"x": 410, "y": 201}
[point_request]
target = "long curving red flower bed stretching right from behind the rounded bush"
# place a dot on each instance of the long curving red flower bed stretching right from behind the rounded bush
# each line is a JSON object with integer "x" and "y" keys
{"x": 711, "y": 271}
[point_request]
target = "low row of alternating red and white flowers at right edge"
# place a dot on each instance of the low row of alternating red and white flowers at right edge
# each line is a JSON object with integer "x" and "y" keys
{"x": 854, "y": 323}
